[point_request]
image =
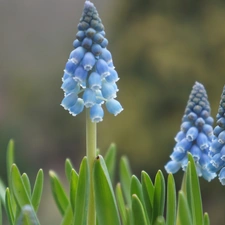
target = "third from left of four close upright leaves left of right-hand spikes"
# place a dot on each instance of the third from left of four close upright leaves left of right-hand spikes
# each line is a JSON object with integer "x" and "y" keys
{"x": 159, "y": 196}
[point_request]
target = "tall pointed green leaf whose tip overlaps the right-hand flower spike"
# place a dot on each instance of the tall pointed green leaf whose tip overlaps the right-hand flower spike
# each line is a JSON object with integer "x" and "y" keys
{"x": 196, "y": 206}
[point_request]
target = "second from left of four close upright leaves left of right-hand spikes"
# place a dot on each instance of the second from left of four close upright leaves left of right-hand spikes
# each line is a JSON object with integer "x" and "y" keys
{"x": 148, "y": 193}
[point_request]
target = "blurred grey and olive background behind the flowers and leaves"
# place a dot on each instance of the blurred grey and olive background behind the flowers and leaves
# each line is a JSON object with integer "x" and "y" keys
{"x": 160, "y": 48}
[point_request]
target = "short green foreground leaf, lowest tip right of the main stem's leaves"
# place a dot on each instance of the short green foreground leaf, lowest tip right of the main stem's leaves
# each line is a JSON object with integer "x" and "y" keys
{"x": 138, "y": 211}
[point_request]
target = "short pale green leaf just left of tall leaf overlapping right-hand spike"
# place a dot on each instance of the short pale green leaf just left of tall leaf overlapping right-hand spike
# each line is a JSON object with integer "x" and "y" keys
{"x": 183, "y": 214}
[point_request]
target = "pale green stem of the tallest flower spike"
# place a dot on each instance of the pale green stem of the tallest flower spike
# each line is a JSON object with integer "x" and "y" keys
{"x": 91, "y": 137}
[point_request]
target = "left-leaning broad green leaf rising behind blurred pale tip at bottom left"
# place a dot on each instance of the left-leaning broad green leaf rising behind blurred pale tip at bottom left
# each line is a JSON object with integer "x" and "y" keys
{"x": 19, "y": 189}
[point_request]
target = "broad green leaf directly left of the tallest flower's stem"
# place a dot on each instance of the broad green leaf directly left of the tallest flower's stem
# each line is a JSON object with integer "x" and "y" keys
{"x": 81, "y": 201}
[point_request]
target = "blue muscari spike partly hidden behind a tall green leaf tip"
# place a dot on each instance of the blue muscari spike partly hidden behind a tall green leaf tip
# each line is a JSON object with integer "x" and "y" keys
{"x": 195, "y": 135}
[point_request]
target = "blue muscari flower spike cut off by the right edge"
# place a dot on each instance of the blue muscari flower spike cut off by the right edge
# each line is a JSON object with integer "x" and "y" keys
{"x": 217, "y": 148}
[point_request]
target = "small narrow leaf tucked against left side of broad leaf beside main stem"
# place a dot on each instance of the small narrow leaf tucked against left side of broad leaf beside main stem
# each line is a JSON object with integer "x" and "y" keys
{"x": 73, "y": 188}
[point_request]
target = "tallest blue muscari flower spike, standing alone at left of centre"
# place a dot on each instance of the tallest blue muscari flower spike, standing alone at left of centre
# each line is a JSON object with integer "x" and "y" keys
{"x": 90, "y": 77}
